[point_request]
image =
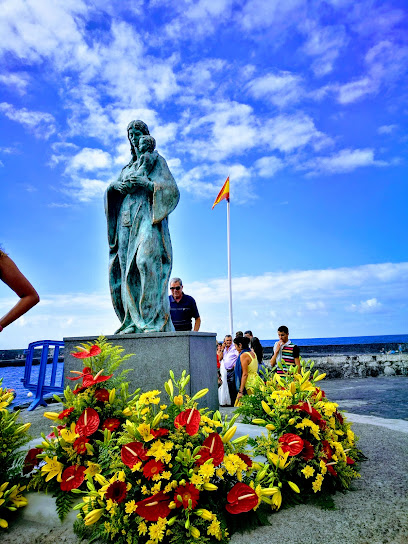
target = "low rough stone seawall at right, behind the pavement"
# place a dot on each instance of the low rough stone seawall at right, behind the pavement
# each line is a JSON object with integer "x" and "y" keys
{"x": 362, "y": 366}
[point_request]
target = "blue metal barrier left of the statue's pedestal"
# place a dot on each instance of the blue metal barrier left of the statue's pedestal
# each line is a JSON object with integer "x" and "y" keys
{"x": 38, "y": 385}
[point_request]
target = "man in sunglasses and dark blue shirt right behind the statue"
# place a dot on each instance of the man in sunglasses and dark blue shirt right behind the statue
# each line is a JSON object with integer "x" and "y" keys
{"x": 183, "y": 308}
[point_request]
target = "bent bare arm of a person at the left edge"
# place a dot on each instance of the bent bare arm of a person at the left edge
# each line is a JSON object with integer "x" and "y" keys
{"x": 11, "y": 276}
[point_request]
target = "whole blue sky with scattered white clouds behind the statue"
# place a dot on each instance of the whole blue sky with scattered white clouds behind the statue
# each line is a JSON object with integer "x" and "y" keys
{"x": 303, "y": 104}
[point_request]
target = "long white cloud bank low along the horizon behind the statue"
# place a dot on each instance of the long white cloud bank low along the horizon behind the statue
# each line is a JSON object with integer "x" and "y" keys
{"x": 261, "y": 303}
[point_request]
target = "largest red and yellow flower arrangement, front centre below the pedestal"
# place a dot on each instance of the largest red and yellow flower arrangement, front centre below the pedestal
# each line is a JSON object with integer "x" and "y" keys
{"x": 176, "y": 475}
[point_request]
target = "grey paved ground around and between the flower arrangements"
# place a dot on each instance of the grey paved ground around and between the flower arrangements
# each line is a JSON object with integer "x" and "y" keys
{"x": 376, "y": 512}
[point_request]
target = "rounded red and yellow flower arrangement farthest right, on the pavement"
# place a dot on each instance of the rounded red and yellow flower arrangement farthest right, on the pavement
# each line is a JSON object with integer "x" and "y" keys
{"x": 310, "y": 448}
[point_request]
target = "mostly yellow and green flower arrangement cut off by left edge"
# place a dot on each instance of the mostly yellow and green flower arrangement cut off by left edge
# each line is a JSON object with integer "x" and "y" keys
{"x": 13, "y": 435}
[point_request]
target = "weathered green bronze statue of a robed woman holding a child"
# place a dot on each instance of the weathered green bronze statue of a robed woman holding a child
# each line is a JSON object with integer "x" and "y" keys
{"x": 137, "y": 206}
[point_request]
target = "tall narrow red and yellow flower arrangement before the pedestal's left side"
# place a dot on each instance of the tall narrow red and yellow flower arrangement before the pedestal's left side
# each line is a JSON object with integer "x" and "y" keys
{"x": 82, "y": 431}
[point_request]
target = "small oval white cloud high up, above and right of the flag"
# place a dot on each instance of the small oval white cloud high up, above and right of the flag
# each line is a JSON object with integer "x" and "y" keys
{"x": 281, "y": 89}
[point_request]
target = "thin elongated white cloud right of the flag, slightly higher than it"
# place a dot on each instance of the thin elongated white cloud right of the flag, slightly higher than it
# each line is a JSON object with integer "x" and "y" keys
{"x": 345, "y": 160}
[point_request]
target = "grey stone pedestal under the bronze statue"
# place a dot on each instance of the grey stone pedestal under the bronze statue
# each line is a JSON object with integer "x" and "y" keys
{"x": 154, "y": 354}
